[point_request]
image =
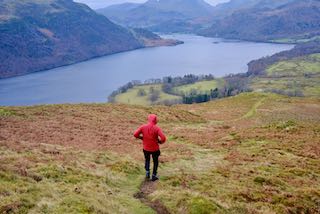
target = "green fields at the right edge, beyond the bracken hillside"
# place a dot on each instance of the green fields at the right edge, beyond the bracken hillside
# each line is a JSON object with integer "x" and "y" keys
{"x": 297, "y": 77}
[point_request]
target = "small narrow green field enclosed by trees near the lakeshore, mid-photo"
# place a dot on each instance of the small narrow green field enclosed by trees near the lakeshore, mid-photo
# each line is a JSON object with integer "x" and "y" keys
{"x": 199, "y": 87}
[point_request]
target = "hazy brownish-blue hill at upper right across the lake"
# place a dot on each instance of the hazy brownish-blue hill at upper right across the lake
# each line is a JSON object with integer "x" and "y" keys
{"x": 265, "y": 21}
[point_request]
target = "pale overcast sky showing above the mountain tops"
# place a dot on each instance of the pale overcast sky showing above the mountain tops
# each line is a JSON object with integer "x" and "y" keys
{"x": 103, "y": 3}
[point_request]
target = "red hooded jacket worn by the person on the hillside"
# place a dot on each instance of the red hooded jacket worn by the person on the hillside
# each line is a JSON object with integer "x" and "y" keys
{"x": 150, "y": 133}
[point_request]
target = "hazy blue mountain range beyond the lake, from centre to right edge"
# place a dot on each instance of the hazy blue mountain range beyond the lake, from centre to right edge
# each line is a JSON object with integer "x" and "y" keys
{"x": 254, "y": 20}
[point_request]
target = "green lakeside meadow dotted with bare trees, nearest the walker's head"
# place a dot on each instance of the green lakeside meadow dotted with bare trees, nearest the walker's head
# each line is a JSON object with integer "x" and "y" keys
{"x": 132, "y": 97}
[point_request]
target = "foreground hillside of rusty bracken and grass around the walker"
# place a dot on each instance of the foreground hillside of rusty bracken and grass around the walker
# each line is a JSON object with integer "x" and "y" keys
{"x": 252, "y": 153}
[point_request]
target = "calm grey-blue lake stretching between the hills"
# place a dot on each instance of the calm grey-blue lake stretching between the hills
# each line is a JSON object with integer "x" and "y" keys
{"x": 94, "y": 80}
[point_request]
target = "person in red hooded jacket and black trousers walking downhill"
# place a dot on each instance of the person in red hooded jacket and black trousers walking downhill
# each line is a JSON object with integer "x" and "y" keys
{"x": 150, "y": 134}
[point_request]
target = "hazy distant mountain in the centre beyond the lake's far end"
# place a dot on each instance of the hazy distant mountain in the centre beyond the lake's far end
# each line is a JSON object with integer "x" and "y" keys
{"x": 153, "y": 13}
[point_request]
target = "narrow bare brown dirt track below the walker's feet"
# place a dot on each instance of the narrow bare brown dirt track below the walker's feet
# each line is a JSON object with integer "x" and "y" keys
{"x": 147, "y": 188}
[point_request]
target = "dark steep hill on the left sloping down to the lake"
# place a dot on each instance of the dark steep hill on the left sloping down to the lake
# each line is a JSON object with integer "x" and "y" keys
{"x": 39, "y": 35}
